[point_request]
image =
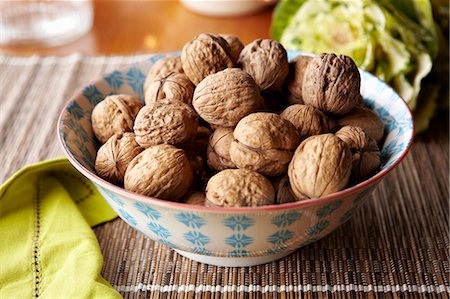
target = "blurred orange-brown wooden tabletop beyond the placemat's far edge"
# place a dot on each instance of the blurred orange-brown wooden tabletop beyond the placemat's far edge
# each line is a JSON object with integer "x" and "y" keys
{"x": 132, "y": 27}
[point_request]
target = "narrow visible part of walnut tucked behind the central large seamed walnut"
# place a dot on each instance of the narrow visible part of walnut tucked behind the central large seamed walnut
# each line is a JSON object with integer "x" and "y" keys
{"x": 218, "y": 152}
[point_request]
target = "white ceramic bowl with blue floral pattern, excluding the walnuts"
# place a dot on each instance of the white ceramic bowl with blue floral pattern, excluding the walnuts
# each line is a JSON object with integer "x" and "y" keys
{"x": 229, "y": 236}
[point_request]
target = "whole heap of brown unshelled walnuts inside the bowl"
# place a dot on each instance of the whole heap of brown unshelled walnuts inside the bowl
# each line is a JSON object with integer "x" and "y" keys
{"x": 228, "y": 126}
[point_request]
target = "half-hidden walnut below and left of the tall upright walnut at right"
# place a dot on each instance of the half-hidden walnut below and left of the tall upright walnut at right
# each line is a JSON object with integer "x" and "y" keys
{"x": 307, "y": 119}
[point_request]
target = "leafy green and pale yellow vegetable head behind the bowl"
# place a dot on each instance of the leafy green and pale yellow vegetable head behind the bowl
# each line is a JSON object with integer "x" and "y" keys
{"x": 396, "y": 40}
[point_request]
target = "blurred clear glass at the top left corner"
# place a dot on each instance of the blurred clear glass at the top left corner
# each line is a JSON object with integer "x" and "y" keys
{"x": 44, "y": 22}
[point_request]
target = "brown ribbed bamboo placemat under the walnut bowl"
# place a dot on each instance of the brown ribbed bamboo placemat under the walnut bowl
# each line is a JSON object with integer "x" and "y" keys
{"x": 396, "y": 245}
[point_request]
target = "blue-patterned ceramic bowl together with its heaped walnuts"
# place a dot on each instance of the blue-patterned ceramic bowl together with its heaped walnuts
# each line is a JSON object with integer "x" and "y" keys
{"x": 236, "y": 155}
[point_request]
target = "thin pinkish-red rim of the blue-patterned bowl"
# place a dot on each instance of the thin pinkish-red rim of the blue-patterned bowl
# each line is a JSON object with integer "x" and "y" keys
{"x": 180, "y": 205}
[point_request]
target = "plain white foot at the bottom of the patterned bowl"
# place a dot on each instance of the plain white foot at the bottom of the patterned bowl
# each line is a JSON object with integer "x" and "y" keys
{"x": 233, "y": 261}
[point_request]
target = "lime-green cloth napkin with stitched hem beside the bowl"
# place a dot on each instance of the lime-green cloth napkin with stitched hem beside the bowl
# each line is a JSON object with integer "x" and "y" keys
{"x": 47, "y": 248}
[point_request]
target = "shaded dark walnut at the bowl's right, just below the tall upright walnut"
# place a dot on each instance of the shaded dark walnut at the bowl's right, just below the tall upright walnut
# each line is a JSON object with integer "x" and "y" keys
{"x": 361, "y": 116}
